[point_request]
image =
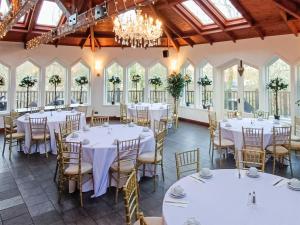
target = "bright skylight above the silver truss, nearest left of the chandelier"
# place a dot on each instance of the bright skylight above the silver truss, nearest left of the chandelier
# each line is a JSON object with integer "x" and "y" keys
{"x": 49, "y": 15}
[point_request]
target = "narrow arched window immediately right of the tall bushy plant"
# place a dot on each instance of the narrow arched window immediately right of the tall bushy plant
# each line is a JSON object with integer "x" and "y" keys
{"x": 188, "y": 72}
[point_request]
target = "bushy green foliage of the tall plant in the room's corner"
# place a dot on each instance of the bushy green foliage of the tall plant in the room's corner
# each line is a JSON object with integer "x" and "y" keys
{"x": 175, "y": 85}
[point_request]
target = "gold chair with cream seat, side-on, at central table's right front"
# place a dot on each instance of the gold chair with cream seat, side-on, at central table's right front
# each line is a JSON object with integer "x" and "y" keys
{"x": 154, "y": 158}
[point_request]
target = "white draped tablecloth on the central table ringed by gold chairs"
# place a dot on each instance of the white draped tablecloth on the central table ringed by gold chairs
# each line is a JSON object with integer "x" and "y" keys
{"x": 101, "y": 152}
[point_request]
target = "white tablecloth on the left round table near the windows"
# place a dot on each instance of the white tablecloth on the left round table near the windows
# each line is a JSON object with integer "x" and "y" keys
{"x": 53, "y": 120}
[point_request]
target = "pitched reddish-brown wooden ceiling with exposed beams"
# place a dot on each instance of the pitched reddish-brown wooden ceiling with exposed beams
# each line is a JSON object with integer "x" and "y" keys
{"x": 259, "y": 18}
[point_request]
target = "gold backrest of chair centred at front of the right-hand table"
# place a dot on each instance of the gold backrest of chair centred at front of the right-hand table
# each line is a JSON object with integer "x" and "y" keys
{"x": 253, "y": 138}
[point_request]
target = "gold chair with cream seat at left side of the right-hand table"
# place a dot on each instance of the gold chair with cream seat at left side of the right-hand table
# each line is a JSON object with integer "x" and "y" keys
{"x": 219, "y": 143}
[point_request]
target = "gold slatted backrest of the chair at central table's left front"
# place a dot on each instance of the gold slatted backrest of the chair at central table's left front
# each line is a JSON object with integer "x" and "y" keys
{"x": 70, "y": 155}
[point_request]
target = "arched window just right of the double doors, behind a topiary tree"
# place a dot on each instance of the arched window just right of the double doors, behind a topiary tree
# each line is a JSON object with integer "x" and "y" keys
{"x": 280, "y": 69}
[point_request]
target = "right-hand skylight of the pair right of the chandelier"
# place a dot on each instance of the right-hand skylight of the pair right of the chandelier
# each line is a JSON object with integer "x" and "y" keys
{"x": 227, "y": 9}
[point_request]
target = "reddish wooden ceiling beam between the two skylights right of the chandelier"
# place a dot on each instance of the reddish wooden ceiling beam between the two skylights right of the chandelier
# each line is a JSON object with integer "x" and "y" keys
{"x": 215, "y": 16}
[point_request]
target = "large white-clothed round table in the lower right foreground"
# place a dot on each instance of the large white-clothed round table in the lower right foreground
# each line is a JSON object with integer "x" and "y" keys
{"x": 223, "y": 199}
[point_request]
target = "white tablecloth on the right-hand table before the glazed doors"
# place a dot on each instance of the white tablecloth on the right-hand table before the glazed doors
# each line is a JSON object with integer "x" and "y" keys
{"x": 235, "y": 134}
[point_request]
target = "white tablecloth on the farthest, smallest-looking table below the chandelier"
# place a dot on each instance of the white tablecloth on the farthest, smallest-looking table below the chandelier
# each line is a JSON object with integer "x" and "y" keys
{"x": 156, "y": 110}
